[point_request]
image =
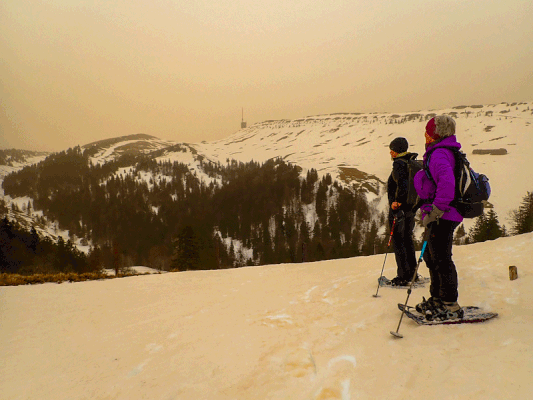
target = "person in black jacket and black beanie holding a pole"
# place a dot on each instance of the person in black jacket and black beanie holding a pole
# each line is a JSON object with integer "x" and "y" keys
{"x": 397, "y": 190}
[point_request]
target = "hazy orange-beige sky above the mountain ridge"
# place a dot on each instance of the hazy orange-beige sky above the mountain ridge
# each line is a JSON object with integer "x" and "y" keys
{"x": 76, "y": 71}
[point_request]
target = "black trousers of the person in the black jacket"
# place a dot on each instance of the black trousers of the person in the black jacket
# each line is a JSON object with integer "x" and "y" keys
{"x": 403, "y": 245}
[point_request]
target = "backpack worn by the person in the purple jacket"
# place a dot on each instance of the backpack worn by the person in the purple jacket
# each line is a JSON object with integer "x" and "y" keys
{"x": 471, "y": 188}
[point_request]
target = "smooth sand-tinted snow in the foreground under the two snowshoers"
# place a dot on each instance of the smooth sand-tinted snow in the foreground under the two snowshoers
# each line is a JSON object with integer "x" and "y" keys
{"x": 300, "y": 331}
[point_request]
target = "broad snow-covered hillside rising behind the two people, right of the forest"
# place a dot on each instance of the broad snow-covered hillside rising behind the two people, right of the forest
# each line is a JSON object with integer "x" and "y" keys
{"x": 353, "y": 148}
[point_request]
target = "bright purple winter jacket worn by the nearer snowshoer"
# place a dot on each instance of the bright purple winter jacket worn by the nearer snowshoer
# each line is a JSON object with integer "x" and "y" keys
{"x": 441, "y": 167}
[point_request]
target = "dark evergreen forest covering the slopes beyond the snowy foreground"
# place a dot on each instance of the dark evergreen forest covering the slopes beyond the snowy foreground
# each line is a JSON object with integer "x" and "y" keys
{"x": 249, "y": 214}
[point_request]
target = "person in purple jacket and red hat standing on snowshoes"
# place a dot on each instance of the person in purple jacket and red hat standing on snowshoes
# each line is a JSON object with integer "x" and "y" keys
{"x": 437, "y": 192}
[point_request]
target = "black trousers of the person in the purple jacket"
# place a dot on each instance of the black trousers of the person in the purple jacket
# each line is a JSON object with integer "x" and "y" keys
{"x": 438, "y": 258}
